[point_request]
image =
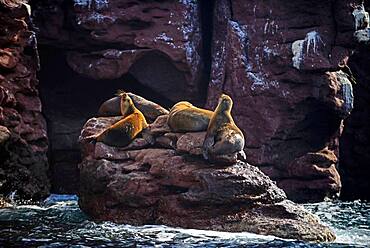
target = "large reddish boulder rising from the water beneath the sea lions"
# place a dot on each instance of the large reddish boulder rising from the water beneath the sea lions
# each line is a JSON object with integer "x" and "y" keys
{"x": 167, "y": 182}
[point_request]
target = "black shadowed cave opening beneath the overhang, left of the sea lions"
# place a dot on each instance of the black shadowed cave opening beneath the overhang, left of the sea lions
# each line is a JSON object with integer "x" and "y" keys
{"x": 68, "y": 100}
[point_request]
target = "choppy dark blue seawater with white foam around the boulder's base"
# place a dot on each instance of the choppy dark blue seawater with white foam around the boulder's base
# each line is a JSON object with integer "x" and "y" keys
{"x": 59, "y": 222}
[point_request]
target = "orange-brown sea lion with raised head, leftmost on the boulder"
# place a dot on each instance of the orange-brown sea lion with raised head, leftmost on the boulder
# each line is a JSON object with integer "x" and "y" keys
{"x": 125, "y": 130}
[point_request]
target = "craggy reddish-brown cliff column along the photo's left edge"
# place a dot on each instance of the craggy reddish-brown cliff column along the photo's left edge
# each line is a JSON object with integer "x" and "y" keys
{"x": 23, "y": 139}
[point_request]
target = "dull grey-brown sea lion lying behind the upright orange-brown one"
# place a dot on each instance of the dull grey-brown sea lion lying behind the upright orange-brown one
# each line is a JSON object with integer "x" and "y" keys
{"x": 149, "y": 109}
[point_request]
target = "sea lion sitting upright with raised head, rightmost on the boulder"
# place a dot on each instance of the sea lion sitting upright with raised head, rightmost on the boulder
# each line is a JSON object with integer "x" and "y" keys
{"x": 224, "y": 141}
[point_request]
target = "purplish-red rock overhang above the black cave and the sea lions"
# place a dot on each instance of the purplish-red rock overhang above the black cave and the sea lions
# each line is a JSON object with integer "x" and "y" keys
{"x": 159, "y": 43}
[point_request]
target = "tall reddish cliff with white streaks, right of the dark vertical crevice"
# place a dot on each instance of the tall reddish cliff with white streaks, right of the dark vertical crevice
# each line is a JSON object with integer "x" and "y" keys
{"x": 281, "y": 63}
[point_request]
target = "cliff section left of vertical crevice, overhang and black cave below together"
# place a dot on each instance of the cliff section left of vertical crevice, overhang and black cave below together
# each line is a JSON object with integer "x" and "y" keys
{"x": 149, "y": 47}
